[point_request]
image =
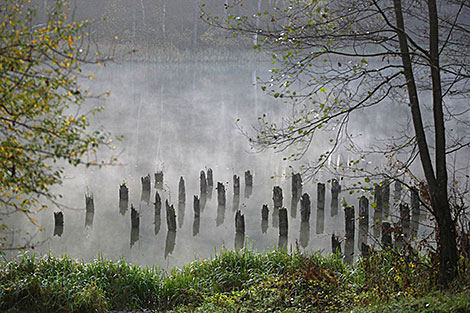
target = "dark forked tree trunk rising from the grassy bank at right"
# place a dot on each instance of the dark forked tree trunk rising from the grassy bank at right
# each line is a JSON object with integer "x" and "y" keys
{"x": 446, "y": 239}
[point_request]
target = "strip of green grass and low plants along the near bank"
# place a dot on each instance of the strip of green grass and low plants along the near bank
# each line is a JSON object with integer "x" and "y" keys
{"x": 233, "y": 281}
